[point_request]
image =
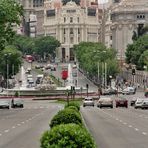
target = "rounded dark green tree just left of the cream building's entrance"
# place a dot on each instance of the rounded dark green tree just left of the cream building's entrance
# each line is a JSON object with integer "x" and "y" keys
{"x": 46, "y": 45}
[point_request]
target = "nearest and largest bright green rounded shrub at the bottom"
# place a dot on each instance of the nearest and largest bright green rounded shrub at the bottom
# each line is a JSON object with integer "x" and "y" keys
{"x": 67, "y": 136}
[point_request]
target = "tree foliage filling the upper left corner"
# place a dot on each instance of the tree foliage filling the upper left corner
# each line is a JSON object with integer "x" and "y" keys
{"x": 10, "y": 14}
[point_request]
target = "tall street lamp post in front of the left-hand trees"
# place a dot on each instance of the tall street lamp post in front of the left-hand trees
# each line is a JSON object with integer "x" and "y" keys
{"x": 7, "y": 55}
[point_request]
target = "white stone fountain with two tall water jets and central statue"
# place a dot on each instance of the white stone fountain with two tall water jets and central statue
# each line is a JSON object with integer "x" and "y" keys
{"x": 45, "y": 88}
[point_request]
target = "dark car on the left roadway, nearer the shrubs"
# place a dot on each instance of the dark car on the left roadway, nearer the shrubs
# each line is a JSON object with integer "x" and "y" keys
{"x": 17, "y": 102}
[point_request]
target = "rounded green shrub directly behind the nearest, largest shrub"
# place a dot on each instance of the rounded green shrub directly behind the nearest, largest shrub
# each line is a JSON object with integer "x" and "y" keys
{"x": 66, "y": 116}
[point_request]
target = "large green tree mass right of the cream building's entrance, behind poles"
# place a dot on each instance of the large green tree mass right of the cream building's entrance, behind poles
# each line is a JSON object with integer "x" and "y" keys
{"x": 89, "y": 54}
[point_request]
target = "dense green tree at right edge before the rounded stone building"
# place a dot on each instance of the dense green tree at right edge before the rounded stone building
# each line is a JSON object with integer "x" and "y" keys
{"x": 134, "y": 52}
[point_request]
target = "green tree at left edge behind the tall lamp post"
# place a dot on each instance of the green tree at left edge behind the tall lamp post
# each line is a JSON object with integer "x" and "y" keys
{"x": 11, "y": 56}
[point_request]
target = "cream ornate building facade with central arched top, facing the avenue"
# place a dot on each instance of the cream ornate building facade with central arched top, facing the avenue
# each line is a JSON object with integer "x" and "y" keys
{"x": 71, "y": 24}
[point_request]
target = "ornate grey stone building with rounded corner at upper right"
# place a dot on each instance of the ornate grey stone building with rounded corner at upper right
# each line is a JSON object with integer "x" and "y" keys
{"x": 126, "y": 17}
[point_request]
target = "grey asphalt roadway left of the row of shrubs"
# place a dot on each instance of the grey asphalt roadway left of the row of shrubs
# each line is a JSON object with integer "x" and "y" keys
{"x": 22, "y": 128}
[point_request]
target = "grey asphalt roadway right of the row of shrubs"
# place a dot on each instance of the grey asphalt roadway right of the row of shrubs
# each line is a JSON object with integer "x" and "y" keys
{"x": 117, "y": 127}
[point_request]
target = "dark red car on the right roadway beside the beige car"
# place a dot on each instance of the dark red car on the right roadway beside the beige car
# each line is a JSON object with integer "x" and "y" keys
{"x": 121, "y": 102}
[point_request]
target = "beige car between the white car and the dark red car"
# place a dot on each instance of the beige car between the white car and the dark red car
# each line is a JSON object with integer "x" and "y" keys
{"x": 105, "y": 102}
